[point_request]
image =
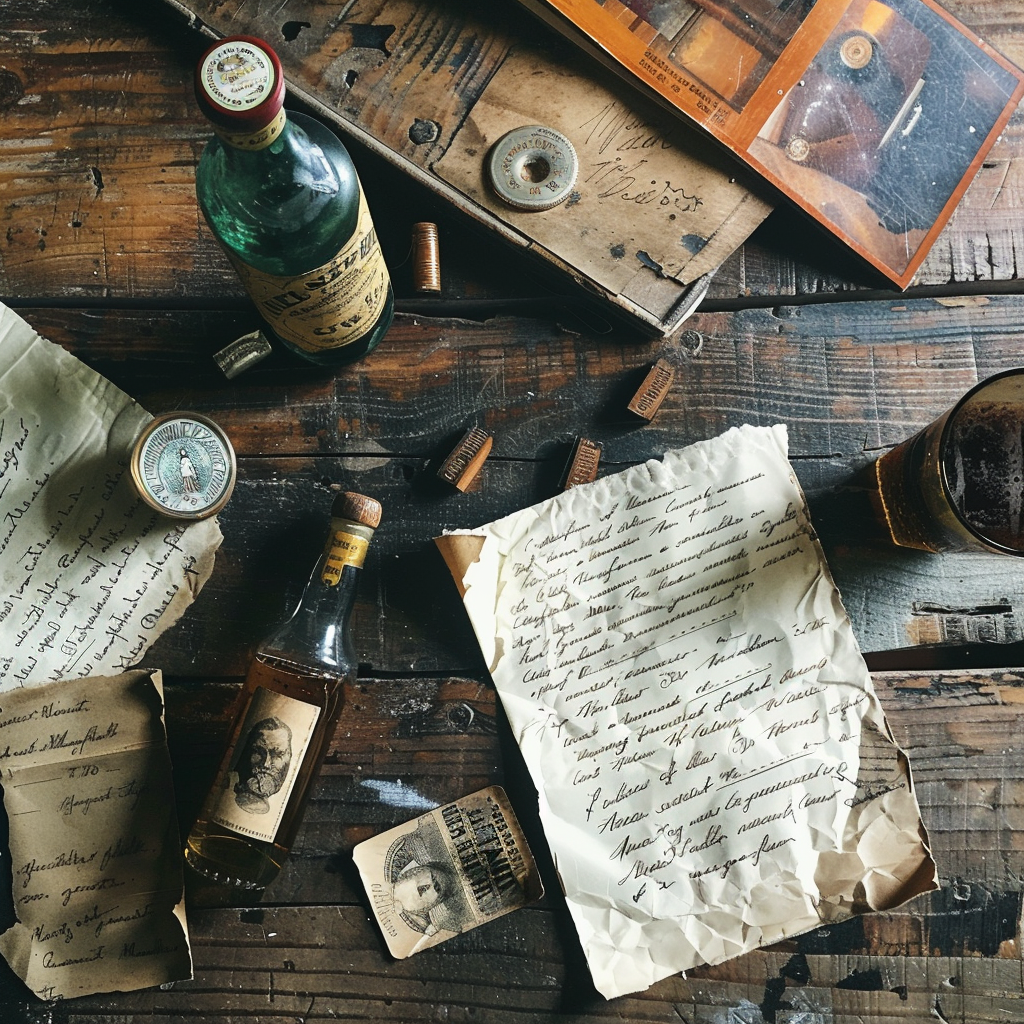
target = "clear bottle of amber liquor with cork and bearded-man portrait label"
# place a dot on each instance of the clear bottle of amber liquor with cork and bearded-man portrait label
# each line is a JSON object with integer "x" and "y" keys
{"x": 286, "y": 715}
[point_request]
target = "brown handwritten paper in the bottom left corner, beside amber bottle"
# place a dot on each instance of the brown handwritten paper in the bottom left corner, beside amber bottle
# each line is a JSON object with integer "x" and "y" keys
{"x": 96, "y": 858}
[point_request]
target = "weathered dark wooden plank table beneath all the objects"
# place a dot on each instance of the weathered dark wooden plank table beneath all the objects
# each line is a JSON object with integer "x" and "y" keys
{"x": 104, "y": 251}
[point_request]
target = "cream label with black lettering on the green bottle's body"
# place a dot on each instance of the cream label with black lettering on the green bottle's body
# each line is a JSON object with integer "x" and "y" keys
{"x": 331, "y": 307}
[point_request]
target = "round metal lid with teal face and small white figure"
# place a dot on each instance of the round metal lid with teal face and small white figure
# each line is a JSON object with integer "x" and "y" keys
{"x": 184, "y": 466}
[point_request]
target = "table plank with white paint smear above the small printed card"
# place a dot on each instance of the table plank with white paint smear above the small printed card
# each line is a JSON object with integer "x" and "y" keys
{"x": 404, "y": 745}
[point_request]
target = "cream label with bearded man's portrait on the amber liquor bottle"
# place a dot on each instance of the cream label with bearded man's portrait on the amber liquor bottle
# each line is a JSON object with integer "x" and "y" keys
{"x": 263, "y": 764}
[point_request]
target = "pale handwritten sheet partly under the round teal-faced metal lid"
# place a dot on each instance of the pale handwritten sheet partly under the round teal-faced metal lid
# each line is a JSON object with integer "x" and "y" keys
{"x": 90, "y": 576}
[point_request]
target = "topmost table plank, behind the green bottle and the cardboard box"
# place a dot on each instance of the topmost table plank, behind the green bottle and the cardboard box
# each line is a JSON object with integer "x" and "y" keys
{"x": 99, "y": 180}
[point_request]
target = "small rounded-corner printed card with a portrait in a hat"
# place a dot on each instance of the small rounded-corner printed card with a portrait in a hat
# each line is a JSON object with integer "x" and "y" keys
{"x": 447, "y": 872}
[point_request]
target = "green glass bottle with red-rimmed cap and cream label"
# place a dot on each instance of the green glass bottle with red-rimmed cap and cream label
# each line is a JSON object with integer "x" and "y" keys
{"x": 282, "y": 196}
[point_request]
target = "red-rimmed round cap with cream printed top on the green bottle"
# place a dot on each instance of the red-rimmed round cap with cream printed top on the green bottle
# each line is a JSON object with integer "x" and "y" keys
{"x": 240, "y": 84}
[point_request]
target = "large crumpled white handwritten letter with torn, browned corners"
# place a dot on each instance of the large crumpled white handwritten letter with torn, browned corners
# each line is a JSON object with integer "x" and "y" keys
{"x": 714, "y": 769}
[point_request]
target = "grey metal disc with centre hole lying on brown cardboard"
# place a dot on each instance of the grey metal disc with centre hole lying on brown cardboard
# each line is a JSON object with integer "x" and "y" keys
{"x": 533, "y": 167}
